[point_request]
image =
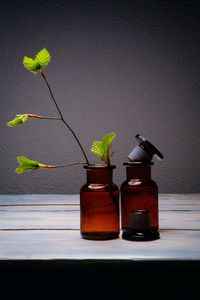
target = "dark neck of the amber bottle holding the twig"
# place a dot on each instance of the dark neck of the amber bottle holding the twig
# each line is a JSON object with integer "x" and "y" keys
{"x": 99, "y": 176}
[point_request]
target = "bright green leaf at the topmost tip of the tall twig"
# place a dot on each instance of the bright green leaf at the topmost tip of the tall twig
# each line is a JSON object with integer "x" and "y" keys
{"x": 41, "y": 60}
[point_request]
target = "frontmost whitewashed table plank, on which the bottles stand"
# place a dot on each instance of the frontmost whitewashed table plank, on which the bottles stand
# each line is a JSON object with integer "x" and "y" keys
{"x": 173, "y": 245}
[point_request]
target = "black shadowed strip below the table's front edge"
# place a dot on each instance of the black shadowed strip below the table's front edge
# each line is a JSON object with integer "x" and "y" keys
{"x": 58, "y": 280}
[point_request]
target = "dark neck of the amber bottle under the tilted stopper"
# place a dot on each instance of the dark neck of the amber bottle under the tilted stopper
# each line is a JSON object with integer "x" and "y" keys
{"x": 142, "y": 172}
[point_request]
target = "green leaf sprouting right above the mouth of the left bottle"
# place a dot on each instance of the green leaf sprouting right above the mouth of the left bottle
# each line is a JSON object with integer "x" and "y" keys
{"x": 102, "y": 149}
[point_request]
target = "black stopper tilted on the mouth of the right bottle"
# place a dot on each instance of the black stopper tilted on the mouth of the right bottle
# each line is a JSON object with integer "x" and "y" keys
{"x": 145, "y": 151}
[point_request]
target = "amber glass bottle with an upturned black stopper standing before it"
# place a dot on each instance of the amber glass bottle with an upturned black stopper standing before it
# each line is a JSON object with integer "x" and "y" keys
{"x": 139, "y": 203}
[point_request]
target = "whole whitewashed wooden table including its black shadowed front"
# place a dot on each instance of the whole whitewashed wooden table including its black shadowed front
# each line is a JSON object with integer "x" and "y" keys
{"x": 42, "y": 253}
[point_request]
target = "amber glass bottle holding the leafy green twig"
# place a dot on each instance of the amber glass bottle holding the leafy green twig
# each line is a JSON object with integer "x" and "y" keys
{"x": 99, "y": 204}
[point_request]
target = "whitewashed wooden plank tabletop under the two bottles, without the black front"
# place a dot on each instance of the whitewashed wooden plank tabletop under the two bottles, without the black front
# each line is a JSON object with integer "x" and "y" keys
{"x": 46, "y": 228}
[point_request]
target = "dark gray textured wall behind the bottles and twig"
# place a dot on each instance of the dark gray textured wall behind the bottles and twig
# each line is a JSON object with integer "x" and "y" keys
{"x": 124, "y": 66}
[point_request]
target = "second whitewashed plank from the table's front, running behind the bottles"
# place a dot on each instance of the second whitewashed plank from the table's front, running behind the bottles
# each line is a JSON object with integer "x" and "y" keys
{"x": 71, "y": 220}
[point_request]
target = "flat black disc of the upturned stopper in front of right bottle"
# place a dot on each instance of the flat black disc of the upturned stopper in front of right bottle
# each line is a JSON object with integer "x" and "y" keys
{"x": 140, "y": 236}
